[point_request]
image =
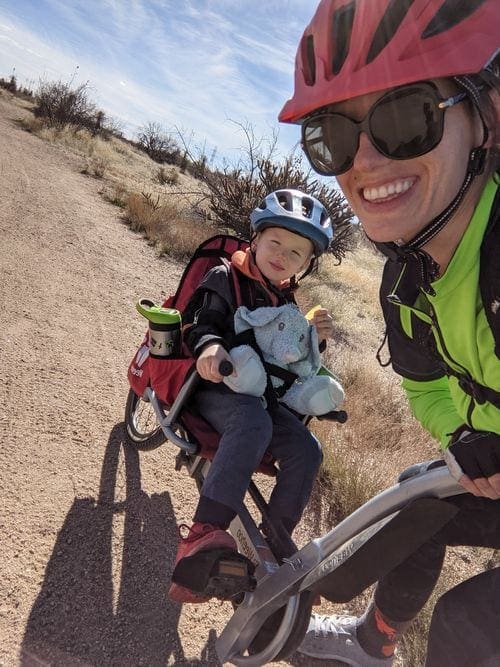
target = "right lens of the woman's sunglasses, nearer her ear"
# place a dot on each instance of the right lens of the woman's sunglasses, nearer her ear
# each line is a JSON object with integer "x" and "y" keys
{"x": 406, "y": 123}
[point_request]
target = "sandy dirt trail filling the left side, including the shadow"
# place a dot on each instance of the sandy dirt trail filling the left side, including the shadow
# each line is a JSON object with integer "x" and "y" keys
{"x": 88, "y": 528}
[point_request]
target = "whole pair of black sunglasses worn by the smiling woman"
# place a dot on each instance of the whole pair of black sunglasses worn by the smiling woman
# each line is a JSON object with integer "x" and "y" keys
{"x": 404, "y": 123}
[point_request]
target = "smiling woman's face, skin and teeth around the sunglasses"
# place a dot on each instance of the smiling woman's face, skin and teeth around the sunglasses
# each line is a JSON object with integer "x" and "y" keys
{"x": 395, "y": 199}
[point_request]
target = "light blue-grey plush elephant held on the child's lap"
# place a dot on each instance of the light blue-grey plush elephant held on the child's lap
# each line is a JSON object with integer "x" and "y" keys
{"x": 286, "y": 339}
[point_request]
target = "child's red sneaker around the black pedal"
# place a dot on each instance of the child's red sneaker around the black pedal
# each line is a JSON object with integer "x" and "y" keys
{"x": 201, "y": 537}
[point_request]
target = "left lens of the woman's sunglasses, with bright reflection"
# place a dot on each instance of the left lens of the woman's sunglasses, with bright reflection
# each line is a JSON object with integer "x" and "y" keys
{"x": 330, "y": 142}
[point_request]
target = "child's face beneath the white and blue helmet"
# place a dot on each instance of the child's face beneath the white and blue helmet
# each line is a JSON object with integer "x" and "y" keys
{"x": 280, "y": 254}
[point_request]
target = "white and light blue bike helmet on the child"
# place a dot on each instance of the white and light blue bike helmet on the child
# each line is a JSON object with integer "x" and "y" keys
{"x": 299, "y": 213}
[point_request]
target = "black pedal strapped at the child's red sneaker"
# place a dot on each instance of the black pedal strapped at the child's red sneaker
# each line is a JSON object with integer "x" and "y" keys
{"x": 220, "y": 573}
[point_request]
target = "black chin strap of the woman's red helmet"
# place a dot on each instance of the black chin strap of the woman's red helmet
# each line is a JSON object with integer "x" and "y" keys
{"x": 429, "y": 269}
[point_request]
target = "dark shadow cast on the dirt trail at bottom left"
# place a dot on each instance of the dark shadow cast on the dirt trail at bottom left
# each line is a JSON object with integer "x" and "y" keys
{"x": 74, "y": 620}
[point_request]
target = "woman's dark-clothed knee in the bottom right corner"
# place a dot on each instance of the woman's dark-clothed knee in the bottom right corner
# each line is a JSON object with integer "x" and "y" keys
{"x": 465, "y": 626}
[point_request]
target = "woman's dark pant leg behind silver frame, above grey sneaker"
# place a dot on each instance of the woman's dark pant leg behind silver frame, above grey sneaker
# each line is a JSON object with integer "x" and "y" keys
{"x": 404, "y": 591}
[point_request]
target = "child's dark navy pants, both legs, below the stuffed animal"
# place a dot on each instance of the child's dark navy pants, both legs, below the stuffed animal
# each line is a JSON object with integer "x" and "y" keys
{"x": 247, "y": 430}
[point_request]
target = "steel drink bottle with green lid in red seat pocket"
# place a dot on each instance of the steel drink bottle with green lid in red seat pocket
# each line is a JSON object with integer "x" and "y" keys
{"x": 165, "y": 338}
